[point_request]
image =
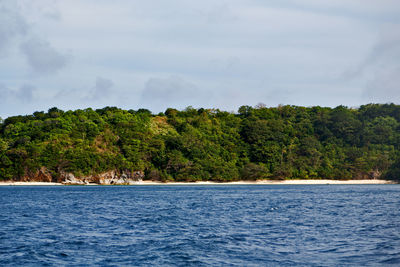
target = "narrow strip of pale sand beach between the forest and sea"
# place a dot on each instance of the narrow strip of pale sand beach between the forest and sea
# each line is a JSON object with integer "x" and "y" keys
{"x": 259, "y": 182}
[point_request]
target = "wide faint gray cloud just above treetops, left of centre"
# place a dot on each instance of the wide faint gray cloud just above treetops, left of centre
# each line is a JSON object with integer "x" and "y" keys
{"x": 173, "y": 91}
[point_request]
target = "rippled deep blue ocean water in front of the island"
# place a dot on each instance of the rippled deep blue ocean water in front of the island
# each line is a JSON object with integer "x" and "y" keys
{"x": 260, "y": 225}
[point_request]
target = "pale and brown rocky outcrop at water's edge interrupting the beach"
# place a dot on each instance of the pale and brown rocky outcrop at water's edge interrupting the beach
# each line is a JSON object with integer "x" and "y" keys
{"x": 107, "y": 178}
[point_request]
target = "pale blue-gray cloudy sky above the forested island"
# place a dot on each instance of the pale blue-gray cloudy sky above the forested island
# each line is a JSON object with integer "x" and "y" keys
{"x": 76, "y": 54}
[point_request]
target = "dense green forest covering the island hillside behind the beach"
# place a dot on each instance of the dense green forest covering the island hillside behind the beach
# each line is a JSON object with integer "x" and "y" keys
{"x": 284, "y": 142}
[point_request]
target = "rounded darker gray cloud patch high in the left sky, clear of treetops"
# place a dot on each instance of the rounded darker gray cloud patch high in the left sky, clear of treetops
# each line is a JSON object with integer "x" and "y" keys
{"x": 42, "y": 57}
